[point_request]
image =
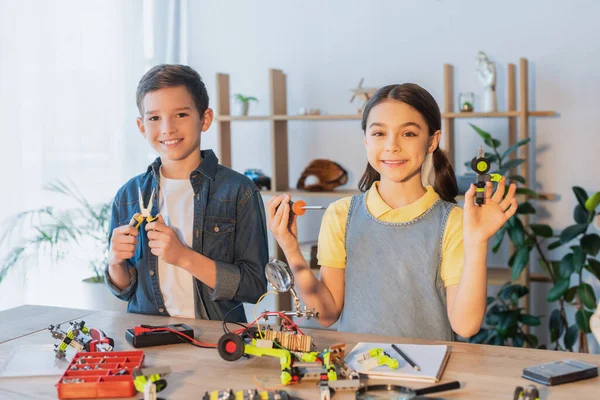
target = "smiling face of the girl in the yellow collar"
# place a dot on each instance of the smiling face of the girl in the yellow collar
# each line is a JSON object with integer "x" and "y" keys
{"x": 397, "y": 140}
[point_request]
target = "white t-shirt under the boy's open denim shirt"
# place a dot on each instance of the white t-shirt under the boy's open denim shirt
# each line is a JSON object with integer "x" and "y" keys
{"x": 176, "y": 204}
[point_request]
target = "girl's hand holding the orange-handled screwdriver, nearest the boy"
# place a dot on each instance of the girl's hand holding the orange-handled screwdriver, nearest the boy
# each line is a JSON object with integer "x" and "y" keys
{"x": 284, "y": 230}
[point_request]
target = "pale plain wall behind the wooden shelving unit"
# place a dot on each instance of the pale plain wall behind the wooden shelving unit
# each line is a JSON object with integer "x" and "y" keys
{"x": 325, "y": 47}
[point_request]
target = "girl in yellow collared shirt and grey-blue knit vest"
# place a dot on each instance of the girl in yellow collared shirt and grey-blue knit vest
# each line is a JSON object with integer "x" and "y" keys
{"x": 401, "y": 258}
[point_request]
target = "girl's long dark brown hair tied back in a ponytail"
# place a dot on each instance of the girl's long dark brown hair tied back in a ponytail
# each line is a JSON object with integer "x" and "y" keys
{"x": 418, "y": 98}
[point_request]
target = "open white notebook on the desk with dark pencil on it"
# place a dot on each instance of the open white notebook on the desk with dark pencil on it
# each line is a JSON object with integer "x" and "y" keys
{"x": 431, "y": 359}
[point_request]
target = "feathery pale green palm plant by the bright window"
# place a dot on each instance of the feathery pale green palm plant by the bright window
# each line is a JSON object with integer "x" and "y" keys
{"x": 51, "y": 232}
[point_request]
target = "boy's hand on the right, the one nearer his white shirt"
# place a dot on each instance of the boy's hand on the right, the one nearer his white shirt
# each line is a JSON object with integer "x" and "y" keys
{"x": 164, "y": 242}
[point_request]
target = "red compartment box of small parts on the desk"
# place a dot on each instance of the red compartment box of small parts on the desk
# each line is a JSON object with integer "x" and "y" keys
{"x": 97, "y": 375}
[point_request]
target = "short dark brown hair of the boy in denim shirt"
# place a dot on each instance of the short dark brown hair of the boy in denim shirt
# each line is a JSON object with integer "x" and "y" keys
{"x": 170, "y": 75}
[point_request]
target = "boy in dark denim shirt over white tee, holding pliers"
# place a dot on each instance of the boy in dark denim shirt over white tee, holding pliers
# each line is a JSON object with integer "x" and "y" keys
{"x": 206, "y": 252}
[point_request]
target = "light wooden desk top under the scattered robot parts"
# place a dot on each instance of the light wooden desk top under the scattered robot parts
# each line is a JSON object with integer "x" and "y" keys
{"x": 486, "y": 372}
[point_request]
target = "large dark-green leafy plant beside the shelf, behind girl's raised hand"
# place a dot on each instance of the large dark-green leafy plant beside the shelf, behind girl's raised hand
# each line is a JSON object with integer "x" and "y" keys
{"x": 504, "y": 320}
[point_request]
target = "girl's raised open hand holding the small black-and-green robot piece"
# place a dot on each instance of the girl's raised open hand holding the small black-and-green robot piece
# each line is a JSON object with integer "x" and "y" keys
{"x": 481, "y": 222}
